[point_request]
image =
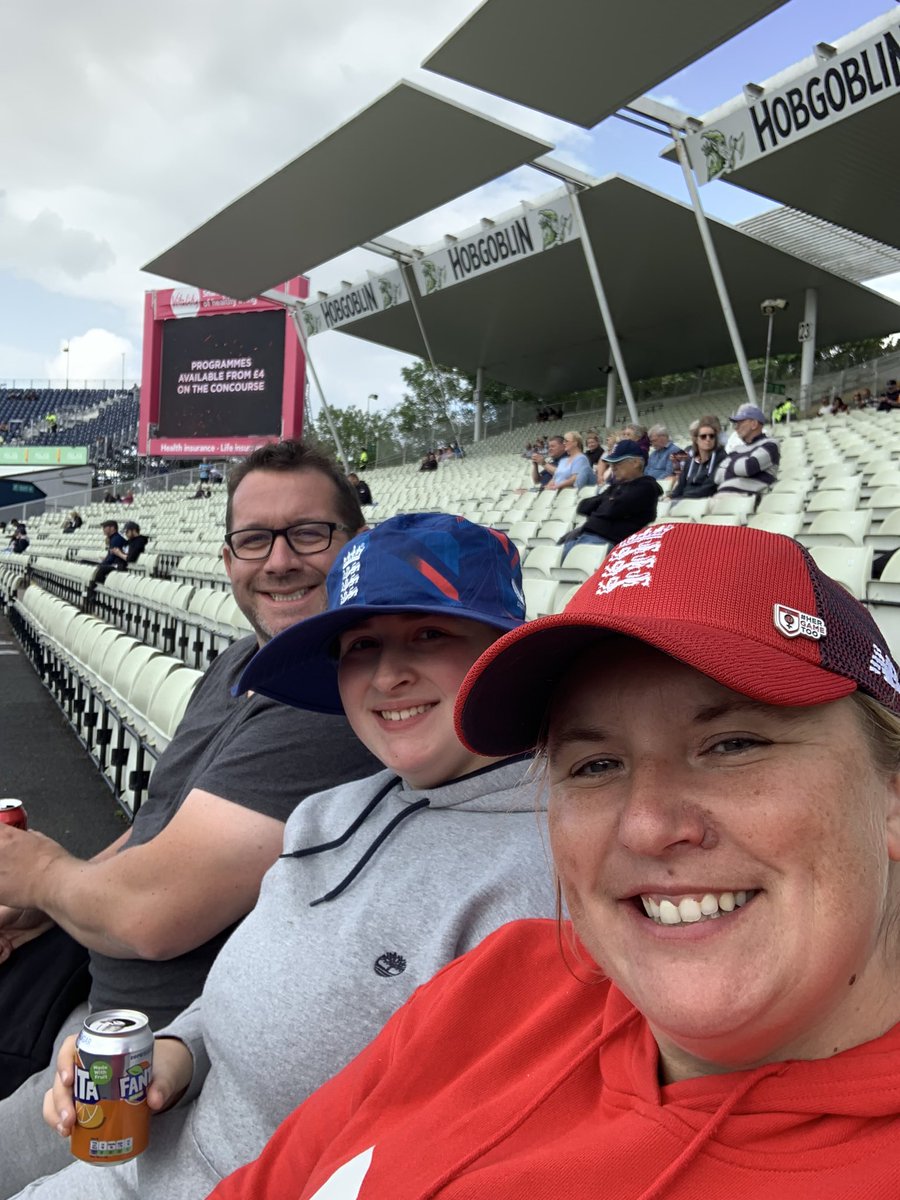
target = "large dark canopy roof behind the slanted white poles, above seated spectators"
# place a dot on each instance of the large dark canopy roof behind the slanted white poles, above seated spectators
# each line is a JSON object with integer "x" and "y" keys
{"x": 535, "y": 322}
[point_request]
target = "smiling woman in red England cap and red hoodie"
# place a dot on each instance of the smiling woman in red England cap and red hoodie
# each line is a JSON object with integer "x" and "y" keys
{"x": 721, "y": 1018}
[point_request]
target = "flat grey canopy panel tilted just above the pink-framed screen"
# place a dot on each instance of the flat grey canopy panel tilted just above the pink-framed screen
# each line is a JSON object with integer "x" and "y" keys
{"x": 406, "y": 154}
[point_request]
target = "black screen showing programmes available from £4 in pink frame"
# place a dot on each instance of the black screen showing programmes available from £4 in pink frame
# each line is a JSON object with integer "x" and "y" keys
{"x": 223, "y": 376}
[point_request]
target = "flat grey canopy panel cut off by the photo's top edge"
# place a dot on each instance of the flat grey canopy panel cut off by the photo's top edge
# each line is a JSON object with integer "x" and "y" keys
{"x": 568, "y": 58}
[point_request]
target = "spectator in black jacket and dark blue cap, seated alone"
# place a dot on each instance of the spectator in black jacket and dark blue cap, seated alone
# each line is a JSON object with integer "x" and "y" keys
{"x": 625, "y": 508}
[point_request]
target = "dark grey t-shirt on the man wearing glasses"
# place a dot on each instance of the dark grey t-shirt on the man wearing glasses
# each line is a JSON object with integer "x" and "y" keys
{"x": 251, "y": 752}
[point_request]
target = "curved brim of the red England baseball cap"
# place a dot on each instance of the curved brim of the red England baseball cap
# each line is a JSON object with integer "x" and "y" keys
{"x": 506, "y": 697}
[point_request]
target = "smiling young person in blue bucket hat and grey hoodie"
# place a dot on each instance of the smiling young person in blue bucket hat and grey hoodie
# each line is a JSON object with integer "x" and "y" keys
{"x": 382, "y": 883}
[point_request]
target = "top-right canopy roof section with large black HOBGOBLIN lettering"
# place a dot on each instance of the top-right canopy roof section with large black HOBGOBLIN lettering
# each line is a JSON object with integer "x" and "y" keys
{"x": 820, "y": 136}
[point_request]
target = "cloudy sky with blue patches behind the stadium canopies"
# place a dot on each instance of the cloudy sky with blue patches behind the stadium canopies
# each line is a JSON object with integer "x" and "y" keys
{"x": 127, "y": 125}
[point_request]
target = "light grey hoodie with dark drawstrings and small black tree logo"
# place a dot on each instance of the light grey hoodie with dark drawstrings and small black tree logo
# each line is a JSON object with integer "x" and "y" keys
{"x": 304, "y": 983}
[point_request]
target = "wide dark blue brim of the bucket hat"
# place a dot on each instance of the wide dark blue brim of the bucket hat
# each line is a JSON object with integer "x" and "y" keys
{"x": 298, "y": 668}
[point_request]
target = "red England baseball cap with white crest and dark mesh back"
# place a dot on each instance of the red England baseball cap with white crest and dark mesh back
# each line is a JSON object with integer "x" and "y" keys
{"x": 748, "y": 609}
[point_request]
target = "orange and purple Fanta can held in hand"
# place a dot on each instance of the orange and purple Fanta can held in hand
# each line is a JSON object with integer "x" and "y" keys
{"x": 112, "y": 1073}
